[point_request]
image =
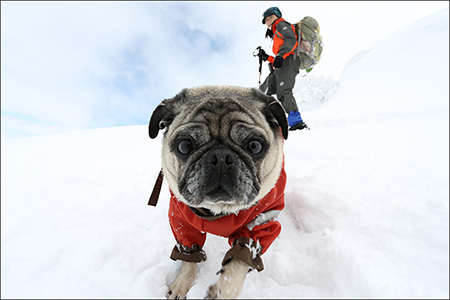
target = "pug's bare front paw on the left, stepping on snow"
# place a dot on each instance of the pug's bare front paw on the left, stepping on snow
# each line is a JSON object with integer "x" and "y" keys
{"x": 185, "y": 280}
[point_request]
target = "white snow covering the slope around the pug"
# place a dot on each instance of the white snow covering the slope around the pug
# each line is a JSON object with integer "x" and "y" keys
{"x": 367, "y": 196}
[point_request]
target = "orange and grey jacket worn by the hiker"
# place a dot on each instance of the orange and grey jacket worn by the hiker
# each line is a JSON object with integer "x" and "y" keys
{"x": 284, "y": 39}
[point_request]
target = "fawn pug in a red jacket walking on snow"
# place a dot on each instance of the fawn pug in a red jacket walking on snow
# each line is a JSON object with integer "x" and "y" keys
{"x": 223, "y": 158}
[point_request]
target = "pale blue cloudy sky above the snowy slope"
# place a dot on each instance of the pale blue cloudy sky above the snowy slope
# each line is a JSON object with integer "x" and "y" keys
{"x": 68, "y": 66}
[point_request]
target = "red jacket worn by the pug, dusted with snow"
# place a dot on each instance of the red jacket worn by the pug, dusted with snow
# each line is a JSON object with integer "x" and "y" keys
{"x": 256, "y": 222}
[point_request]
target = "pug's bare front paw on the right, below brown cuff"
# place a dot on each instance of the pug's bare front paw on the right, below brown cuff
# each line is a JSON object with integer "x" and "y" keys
{"x": 231, "y": 281}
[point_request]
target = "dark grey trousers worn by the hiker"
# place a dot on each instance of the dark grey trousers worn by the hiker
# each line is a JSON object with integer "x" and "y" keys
{"x": 282, "y": 81}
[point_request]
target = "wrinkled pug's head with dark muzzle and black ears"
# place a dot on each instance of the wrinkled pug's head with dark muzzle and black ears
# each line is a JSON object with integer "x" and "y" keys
{"x": 223, "y": 148}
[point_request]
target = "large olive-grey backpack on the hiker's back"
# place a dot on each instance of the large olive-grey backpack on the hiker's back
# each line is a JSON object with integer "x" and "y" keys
{"x": 310, "y": 43}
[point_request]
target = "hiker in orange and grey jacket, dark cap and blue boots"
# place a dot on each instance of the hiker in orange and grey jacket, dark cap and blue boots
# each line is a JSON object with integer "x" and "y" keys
{"x": 284, "y": 67}
